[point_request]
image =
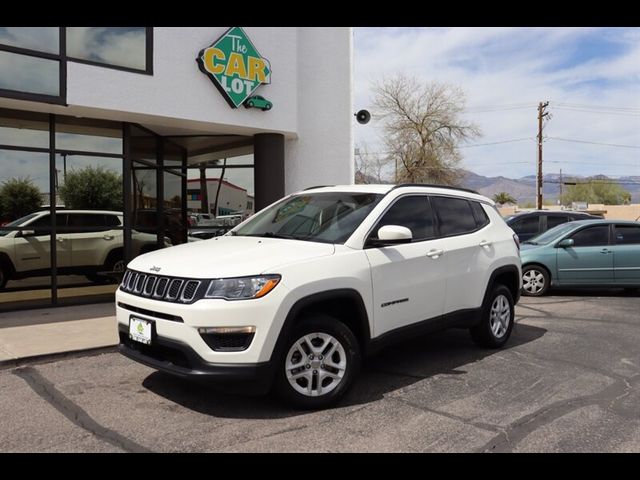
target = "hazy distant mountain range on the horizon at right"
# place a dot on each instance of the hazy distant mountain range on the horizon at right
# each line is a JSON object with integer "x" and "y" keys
{"x": 524, "y": 189}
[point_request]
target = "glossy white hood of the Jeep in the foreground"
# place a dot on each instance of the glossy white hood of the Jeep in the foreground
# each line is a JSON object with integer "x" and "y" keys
{"x": 229, "y": 256}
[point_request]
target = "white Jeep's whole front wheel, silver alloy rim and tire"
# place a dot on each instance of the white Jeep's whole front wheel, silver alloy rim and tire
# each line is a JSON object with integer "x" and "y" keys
{"x": 320, "y": 362}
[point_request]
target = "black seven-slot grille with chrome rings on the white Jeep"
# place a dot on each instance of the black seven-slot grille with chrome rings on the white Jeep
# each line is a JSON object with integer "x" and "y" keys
{"x": 169, "y": 289}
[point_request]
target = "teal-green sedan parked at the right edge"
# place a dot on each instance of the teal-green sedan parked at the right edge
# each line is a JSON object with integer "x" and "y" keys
{"x": 585, "y": 253}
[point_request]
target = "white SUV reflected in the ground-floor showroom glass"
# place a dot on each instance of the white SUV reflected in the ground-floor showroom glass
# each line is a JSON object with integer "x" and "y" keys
{"x": 89, "y": 242}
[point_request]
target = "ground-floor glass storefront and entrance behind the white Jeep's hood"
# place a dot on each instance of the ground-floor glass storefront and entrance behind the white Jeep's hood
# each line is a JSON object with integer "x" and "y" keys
{"x": 79, "y": 198}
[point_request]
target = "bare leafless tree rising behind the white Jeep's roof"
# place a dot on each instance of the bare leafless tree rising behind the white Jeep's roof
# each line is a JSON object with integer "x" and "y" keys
{"x": 423, "y": 128}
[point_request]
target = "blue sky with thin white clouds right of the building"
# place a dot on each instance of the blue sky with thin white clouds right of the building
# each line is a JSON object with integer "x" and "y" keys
{"x": 590, "y": 76}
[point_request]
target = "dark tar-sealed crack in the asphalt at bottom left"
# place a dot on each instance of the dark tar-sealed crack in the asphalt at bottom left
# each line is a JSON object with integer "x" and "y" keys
{"x": 47, "y": 390}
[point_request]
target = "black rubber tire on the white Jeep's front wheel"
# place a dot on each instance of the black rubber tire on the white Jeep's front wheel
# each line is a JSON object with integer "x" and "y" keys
{"x": 322, "y": 324}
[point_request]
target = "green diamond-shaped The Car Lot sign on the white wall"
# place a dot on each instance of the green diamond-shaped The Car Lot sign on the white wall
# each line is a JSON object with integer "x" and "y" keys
{"x": 236, "y": 68}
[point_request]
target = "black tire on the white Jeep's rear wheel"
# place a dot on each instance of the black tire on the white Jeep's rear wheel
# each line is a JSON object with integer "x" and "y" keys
{"x": 483, "y": 334}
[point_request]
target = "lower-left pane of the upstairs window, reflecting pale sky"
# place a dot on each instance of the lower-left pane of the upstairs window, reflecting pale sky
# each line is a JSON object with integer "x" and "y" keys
{"x": 24, "y": 73}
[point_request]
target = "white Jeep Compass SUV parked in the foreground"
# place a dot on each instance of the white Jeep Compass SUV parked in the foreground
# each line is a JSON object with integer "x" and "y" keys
{"x": 297, "y": 295}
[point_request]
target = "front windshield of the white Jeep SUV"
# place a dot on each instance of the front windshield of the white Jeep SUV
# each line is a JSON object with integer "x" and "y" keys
{"x": 328, "y": 217}
